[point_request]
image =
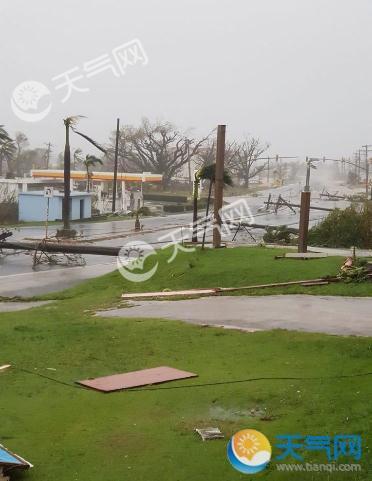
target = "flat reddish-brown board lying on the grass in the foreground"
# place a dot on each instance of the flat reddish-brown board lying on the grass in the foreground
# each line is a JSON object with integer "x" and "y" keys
{"x": 128, "y": 380}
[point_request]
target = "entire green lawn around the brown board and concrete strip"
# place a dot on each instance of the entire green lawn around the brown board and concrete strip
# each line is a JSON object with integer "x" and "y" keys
{"x": 70, "y": 433}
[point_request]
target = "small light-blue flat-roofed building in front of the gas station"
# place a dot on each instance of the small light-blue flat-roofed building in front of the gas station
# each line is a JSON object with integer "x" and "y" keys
{"x": 32, "y": 206}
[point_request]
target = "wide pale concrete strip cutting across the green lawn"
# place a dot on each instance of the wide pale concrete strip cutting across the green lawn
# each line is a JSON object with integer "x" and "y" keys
{"x": 331, "y": 315}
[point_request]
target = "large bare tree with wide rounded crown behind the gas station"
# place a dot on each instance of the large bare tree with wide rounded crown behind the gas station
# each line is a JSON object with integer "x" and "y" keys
{"x": 160, "y": 148}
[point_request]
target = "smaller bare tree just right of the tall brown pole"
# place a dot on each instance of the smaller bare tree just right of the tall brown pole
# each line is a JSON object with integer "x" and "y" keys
{"x": 246, "y": 160}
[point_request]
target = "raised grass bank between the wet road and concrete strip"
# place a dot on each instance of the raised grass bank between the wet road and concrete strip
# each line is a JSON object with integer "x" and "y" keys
{"x": 241, "y": 266}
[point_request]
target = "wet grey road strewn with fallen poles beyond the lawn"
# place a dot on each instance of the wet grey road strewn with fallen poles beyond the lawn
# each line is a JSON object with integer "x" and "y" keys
{"x": 18, "y": 278}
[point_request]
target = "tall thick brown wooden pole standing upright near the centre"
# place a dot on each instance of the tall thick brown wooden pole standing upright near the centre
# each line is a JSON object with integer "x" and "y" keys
{"x": 218, "y": 186}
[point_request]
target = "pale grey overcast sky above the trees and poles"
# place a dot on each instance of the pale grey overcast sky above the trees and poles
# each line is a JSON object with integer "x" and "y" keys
{"x": 296, "y": 73}
